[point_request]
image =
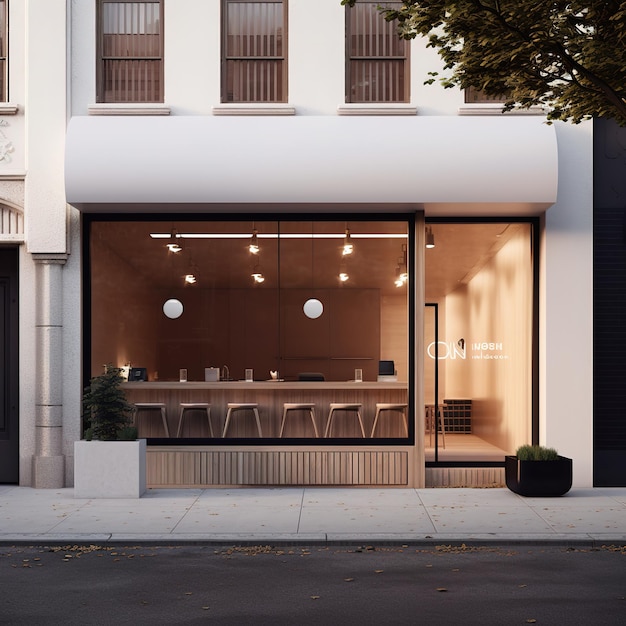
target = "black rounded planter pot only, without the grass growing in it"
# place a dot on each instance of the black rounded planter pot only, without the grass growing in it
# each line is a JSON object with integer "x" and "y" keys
{"x": 538, "y": 478}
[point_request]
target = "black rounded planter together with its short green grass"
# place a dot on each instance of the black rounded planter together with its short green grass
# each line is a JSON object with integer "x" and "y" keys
{"x": 538, "y": 471}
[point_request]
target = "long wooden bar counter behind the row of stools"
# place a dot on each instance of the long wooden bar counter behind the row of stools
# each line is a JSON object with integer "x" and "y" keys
{"x": 270, "y": 396}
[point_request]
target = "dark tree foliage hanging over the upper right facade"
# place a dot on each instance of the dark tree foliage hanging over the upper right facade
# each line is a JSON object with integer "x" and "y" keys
{"x": 567, "y": 56}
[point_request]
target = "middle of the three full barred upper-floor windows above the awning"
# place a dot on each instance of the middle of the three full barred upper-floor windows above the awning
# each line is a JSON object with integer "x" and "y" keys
{"x": 254, "y": 58}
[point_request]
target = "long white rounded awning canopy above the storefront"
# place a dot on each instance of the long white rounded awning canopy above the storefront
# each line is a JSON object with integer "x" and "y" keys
{"x": 444, "y": 165}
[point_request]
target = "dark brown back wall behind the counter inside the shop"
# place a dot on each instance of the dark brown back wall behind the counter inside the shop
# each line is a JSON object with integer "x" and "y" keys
{"x": 240, "y": 328}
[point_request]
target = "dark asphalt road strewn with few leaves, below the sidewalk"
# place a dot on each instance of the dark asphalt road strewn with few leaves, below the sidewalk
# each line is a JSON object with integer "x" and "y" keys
{"x": 312, "y": 585}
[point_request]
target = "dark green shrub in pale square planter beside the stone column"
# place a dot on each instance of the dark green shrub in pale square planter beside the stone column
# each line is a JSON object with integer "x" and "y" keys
{"x": 110, "y": 462}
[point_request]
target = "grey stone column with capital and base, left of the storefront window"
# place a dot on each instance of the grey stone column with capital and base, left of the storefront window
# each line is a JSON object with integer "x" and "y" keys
{"x": 48, "y": 461}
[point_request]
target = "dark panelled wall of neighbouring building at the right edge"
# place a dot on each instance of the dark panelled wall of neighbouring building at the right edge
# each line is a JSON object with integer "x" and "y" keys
{"x": 609, "y": 360}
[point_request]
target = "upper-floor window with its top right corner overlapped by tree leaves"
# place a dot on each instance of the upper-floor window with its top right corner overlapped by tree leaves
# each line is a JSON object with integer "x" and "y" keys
{"x": 377, "y": 59}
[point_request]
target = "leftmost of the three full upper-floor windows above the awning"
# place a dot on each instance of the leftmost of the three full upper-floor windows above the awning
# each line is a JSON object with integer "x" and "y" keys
{"x": 130, "y": 51}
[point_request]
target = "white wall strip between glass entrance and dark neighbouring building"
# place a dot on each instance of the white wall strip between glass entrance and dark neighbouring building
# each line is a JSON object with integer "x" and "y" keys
{"x": 566, "y": 318}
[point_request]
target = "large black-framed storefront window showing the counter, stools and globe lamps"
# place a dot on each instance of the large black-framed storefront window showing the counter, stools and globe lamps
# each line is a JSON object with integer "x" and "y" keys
{"x": 313, "y": 312}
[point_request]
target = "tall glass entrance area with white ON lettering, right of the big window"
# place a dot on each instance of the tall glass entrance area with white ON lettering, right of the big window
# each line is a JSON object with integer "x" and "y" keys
{"x": 478, "y": 338}
